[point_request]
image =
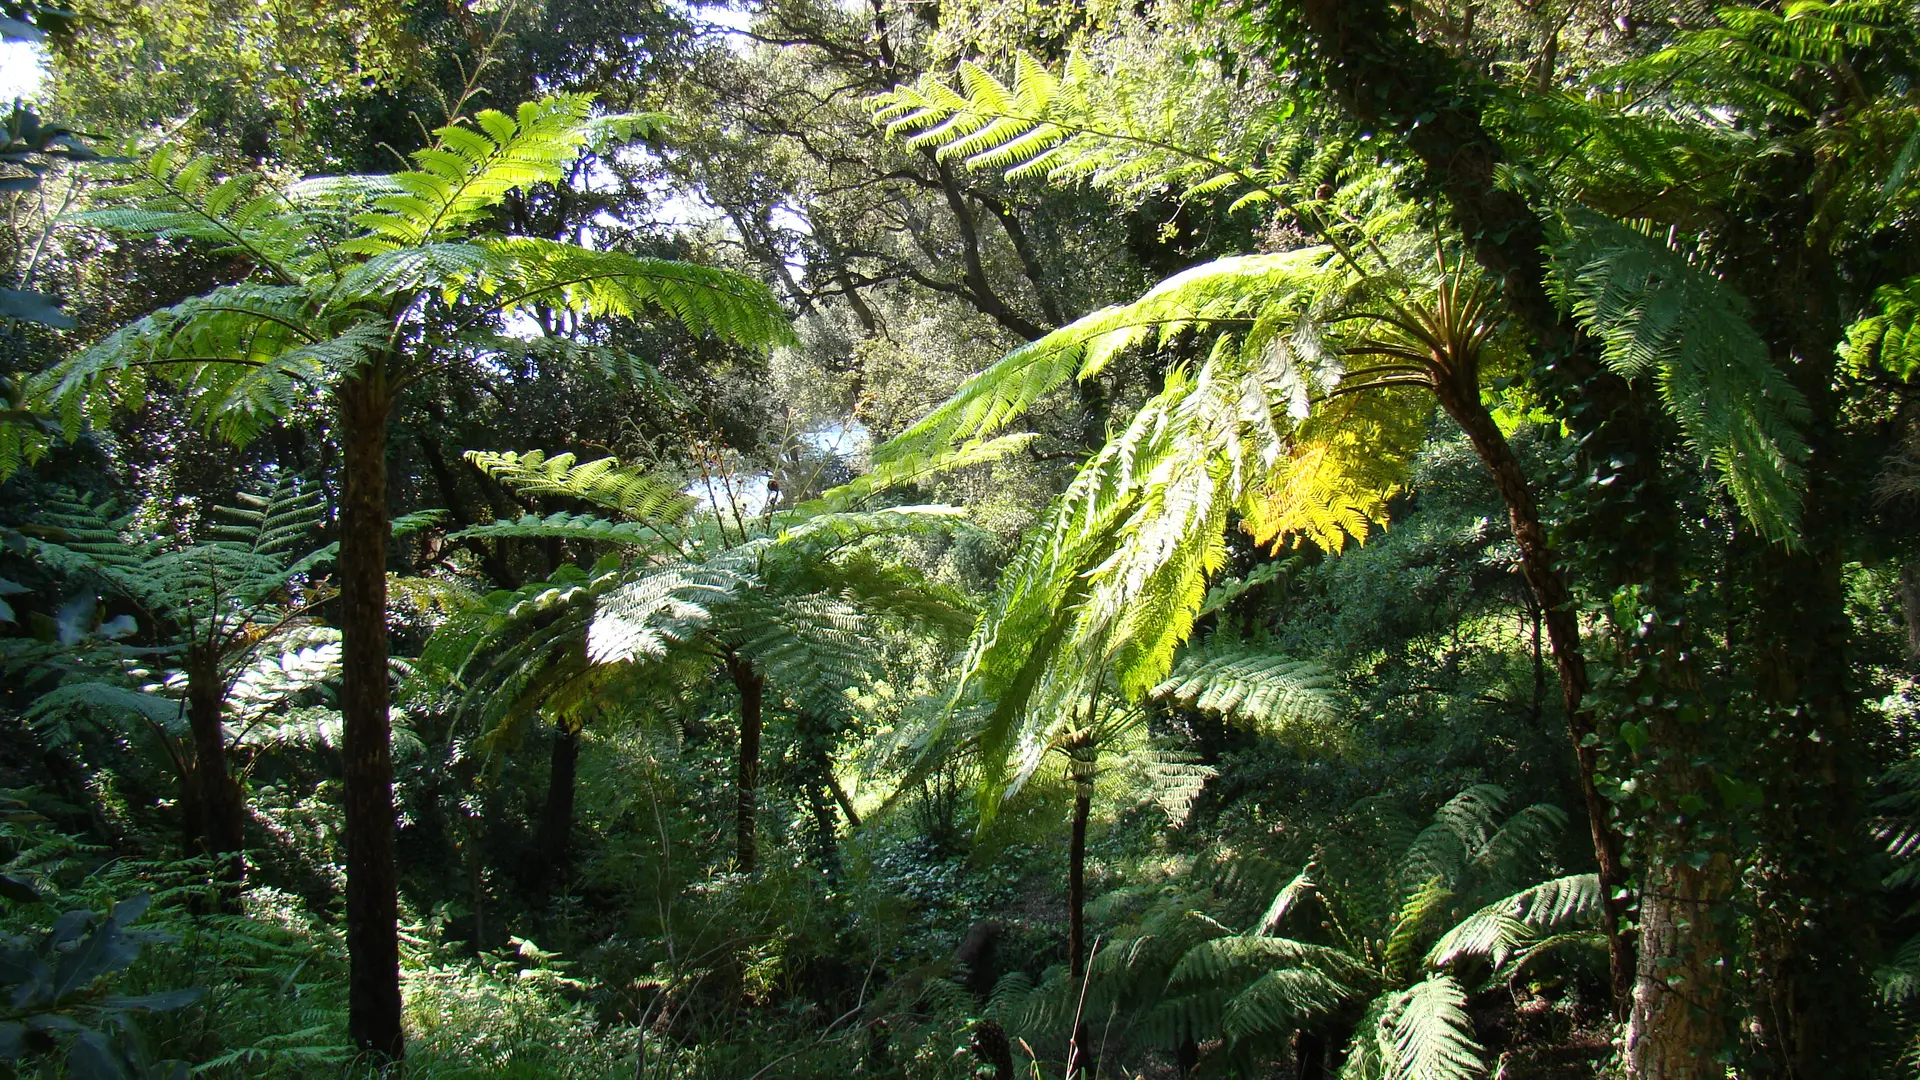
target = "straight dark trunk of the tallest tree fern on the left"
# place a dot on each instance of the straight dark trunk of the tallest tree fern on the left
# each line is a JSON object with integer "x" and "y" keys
{"x": 373, "y": 900}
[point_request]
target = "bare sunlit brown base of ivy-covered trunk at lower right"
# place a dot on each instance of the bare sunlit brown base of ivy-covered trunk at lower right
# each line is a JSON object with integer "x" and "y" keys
{"x": 1675, "y": 1027}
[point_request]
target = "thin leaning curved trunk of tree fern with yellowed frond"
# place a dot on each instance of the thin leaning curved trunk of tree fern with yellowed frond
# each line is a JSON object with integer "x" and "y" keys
{"x": 1564, "y": 635}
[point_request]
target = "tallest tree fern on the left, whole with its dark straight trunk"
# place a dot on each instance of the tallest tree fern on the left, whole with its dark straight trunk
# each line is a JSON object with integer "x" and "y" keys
{"x": 356, "y": 289}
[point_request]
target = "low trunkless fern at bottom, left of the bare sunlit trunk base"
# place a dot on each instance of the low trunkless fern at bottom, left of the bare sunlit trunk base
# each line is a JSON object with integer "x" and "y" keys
{"x": 1410, "y": 962}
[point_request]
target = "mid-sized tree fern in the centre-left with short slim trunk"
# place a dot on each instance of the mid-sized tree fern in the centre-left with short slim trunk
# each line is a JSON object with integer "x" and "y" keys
{"x": 788, "y": 601}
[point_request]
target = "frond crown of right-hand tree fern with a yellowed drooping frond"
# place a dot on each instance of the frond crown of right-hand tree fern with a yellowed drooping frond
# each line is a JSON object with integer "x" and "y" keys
{"x": 1276, "y": 426}
